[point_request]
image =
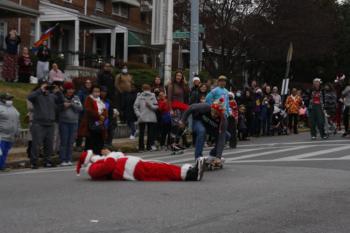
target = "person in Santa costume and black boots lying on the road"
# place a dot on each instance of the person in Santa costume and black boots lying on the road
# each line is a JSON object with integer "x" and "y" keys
{"x": 118, "y": 166}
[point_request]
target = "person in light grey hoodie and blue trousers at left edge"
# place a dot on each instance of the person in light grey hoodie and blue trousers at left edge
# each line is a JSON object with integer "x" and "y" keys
{"x": 9, "y": 126}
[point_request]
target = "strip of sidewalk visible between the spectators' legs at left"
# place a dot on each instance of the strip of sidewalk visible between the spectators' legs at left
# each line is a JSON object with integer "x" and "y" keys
{"x": 17, "y": 157}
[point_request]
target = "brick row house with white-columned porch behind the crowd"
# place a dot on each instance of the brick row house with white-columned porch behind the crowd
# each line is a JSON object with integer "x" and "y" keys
{"x": 88, "y": 31}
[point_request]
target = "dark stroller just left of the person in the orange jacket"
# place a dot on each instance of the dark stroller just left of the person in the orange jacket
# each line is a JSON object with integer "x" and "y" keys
{"x": 279, "y": 122}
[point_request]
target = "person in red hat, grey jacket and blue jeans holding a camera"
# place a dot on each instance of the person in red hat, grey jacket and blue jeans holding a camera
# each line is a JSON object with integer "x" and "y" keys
{"x": 69, "y": 112}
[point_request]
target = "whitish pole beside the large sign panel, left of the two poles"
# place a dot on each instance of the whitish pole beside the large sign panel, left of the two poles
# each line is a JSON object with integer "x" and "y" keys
{"x": 169, "y": 42}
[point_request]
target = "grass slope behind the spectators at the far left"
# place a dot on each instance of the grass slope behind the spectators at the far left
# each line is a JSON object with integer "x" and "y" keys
{"x": 20, "y": 91}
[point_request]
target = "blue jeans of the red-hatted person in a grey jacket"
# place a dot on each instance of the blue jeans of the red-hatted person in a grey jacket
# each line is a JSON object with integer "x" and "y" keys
{"x": 68, "y": 132}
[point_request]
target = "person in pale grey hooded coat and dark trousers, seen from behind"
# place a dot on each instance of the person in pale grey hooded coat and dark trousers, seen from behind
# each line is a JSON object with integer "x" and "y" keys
{"x": 145, "y": 107}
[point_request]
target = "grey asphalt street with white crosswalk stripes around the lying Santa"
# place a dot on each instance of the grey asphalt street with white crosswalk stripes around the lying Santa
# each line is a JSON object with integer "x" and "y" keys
{"x": 285, "y": 184}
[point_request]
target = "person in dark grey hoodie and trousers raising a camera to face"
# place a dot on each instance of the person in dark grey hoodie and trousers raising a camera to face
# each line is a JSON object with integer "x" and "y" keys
{"x": 45, "y": 100}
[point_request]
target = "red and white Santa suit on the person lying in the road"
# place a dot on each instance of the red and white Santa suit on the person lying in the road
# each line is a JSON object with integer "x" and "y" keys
{"x": 117, "y": 166}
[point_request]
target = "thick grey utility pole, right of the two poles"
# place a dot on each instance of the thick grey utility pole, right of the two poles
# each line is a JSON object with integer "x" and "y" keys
{"x": 194, "y": 51}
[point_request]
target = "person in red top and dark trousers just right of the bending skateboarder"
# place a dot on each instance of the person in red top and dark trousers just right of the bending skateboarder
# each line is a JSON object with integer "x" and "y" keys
{"x": 232, "y": 120}
